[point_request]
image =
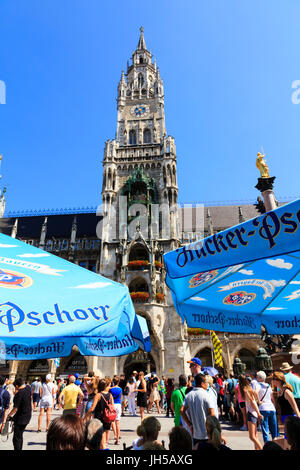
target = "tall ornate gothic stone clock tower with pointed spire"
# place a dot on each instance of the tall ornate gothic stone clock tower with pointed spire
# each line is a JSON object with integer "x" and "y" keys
{"x": 139, "y": 196}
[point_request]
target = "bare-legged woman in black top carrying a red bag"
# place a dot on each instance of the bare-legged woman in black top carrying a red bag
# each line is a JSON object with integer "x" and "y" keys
{"x": 102, "y": 398}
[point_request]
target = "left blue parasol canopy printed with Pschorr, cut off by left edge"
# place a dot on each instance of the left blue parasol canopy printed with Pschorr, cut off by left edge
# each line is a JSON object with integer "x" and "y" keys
{"x": 48, "y": 304}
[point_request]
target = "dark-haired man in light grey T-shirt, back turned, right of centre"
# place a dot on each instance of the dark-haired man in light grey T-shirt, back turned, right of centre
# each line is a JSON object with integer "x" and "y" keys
{"x": 196, "y": 407}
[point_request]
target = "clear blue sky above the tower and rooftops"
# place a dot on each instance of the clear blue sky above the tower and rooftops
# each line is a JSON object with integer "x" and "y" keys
{"x": 227, "y": 67}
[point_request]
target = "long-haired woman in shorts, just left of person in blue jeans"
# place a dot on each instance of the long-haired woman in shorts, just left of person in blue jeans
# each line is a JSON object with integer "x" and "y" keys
{"x": 253, "y": 413}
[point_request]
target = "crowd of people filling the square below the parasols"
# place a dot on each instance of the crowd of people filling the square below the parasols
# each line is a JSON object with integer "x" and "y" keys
{"x": 92, "y": 408}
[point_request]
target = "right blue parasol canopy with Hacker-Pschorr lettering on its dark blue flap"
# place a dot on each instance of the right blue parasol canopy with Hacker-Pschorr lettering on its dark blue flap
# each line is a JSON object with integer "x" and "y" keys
{"x": 241, "y": 278}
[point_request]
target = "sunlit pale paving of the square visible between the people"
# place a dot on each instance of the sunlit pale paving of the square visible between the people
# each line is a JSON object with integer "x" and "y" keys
{"x": 236, "y": 439}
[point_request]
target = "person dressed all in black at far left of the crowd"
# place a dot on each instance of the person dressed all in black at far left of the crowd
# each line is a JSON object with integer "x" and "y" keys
{"x": 21, "y": 412}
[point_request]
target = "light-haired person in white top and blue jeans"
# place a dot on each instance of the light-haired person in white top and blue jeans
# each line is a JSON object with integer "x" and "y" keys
{"x": 266, "y": 407}
